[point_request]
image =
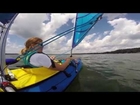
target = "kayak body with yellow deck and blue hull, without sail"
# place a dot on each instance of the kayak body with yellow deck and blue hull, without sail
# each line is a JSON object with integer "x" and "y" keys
{"x": 43, "y": 79}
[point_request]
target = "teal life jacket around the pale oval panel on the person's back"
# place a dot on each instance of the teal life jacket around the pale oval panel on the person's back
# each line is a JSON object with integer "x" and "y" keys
{"x": 26, "y": 60}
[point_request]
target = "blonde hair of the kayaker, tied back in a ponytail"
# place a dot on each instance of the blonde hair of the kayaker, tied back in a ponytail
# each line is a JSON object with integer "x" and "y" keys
{"x": 30, "y": 42}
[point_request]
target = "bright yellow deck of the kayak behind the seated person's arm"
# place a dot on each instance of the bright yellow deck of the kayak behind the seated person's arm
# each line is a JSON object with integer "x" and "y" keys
{"x": 29, "y": 76}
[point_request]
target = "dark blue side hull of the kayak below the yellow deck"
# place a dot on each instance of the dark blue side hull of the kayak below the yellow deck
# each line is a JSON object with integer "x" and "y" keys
{"x": 57, "y": 83}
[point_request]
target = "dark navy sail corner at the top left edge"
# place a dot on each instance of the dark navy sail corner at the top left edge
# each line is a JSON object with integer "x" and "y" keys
{"x": 6, "y": 17}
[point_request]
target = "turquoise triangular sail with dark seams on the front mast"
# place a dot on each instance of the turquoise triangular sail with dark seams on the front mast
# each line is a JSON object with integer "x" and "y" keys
{"x": 83, "y": 23}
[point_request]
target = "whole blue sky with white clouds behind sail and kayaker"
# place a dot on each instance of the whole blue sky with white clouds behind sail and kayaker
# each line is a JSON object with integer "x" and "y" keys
{"x": 114, "y": 31}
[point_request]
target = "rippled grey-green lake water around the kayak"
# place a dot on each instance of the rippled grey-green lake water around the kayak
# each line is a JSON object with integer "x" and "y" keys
{"x": 106, "y": 73}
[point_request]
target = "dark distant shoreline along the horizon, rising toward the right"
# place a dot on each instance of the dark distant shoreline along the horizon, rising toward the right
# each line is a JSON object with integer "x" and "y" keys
{"x": 119, "y": 51}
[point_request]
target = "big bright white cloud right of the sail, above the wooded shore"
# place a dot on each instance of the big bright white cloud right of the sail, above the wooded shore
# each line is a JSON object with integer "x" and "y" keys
{"x": 126, "y": 34}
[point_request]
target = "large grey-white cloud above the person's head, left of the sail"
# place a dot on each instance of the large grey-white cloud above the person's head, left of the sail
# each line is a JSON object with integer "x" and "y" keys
{"x": 28, "y": 25}
